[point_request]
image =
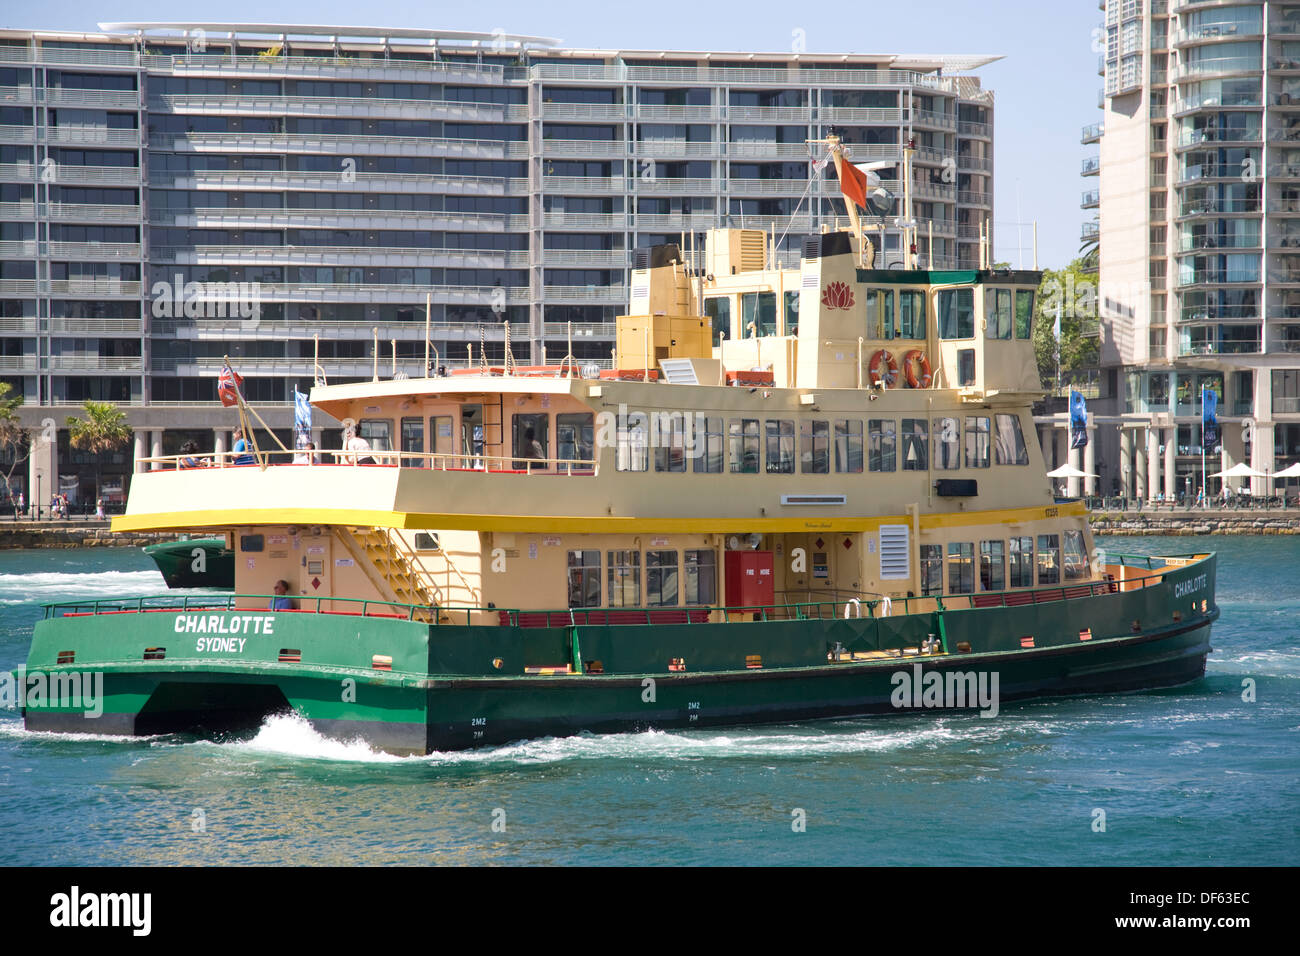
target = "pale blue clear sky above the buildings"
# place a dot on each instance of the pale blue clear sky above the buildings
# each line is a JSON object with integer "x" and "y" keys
{"x": 1046, "y": 88}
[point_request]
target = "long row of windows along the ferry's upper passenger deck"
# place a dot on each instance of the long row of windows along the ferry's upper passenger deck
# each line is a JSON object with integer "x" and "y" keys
{"x": 755, "y": 445}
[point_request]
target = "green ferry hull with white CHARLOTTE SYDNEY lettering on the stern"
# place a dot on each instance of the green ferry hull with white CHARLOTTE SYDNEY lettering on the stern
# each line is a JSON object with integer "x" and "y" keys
{"x": 456, "y": 686}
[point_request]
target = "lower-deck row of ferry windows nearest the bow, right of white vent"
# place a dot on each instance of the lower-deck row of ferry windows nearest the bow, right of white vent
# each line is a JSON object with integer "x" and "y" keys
{"x": 1004, "y": 565}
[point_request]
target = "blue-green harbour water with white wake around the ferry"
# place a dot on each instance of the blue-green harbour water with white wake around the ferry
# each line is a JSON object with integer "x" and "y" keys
{"x": 1194, "y": 776}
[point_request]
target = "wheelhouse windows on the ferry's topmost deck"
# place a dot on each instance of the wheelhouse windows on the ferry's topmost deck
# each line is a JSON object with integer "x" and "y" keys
{"x": 890, "y": 314}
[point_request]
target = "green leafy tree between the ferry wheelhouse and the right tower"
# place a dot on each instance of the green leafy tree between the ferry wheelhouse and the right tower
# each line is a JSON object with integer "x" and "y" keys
{"x": 1074, "y": 292}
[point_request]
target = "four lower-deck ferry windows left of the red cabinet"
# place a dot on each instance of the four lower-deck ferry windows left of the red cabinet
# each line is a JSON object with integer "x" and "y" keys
{"x": 694, "y": 582}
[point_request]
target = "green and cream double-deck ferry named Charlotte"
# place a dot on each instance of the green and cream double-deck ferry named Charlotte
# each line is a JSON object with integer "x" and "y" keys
{"x": 800, "y": 494}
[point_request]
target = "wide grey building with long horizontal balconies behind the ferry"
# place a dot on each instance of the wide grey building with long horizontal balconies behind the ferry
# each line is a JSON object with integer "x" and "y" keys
{"x": 175, "y": 194}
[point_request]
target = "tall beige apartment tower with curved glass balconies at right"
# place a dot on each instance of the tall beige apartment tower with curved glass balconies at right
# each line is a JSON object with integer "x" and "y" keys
{"x": 1201, "y": 239}
